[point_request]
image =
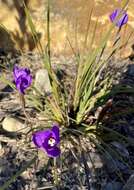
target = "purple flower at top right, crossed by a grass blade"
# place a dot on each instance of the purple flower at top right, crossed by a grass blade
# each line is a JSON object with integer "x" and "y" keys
{"x": 120, "y": 22}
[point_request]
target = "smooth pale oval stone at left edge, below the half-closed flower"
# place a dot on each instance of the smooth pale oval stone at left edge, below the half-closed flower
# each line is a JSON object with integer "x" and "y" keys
{"x": 11, "y": 124}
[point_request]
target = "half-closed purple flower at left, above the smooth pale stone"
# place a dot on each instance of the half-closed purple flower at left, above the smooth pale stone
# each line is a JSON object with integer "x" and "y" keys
{"x": 22, "y": 78}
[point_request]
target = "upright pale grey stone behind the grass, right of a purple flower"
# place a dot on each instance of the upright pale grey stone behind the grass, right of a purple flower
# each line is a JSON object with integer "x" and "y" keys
{"x": 42, "y": 82}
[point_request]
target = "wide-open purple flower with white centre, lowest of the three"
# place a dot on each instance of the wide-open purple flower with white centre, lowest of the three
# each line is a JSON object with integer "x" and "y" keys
{"x": 47, "y": 140}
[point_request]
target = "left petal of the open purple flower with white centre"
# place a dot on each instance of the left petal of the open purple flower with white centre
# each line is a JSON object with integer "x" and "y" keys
{"x": 39, "y": 137}
